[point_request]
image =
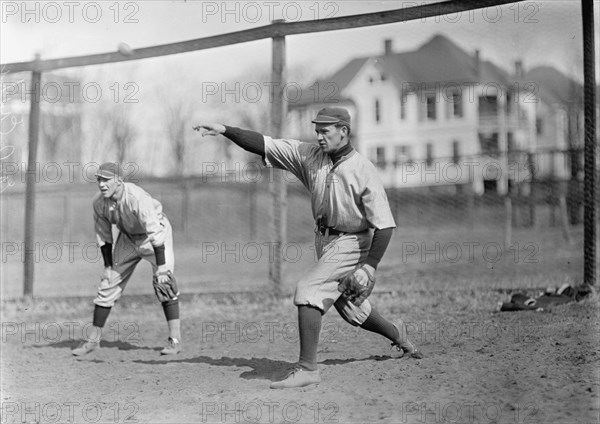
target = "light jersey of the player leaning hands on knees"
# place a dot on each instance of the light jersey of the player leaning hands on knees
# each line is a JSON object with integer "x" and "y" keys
{"x": 136, "y": 214}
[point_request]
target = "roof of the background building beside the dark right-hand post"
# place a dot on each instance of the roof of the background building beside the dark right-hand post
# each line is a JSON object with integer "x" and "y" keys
{"x": 554, "y": 86}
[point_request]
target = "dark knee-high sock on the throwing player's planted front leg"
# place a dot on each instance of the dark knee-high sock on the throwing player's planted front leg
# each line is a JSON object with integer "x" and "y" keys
{"x": 309, "y": 325}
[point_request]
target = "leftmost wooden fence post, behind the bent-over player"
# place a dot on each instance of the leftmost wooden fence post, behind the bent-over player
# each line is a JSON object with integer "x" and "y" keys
{"x": 34, "y": 130}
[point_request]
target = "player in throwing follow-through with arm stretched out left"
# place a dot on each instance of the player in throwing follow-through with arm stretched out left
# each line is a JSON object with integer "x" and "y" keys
{"x": 354, "y": 225}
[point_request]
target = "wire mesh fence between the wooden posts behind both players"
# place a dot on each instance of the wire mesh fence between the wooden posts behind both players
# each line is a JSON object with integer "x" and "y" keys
{"x": 506, "y": 192}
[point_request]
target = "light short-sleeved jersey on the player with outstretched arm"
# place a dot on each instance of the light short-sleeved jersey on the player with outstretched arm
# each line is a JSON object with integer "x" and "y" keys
{"x": 348, "y": 195}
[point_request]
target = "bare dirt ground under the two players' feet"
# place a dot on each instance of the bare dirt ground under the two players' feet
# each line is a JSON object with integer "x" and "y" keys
{"x": 480, "y": 365}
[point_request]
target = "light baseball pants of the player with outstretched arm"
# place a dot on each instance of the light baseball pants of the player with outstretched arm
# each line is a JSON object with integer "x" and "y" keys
{"x": 337, "y": 255}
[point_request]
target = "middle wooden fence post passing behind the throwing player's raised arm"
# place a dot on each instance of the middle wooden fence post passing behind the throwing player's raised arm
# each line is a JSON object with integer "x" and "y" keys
{"x": 277, "y": 186}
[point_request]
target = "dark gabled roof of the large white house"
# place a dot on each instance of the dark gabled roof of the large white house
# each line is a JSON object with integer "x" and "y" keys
{"x": 439, "y": 60}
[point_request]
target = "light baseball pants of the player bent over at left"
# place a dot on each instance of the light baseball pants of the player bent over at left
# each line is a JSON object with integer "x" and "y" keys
{"x": 127, "y": 253}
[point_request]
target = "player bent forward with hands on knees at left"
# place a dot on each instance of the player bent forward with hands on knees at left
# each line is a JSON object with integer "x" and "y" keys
{"x": 144, "y": 233}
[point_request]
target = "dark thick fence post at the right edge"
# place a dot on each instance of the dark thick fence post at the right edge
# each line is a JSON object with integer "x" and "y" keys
{"x": 589, "y": 106}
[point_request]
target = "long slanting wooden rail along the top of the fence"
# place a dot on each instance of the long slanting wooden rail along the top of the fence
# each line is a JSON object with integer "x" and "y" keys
{"x": 275, "y": 29}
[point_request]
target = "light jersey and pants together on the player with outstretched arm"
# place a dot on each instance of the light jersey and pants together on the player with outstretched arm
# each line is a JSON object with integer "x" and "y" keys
{"x": 351, "y": 198}
